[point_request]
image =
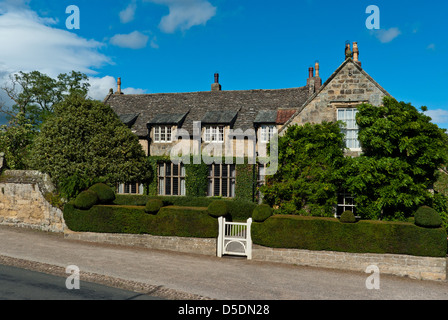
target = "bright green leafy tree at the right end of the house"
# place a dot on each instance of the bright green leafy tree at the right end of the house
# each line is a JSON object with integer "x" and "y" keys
{"x": 402, "y": 152}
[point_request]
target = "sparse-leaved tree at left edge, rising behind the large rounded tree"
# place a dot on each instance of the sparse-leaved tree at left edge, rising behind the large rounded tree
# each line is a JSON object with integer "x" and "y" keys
{"x": 35, "y": 94}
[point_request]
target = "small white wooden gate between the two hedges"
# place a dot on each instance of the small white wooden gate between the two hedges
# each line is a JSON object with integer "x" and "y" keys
{"x": 234, "y": 238}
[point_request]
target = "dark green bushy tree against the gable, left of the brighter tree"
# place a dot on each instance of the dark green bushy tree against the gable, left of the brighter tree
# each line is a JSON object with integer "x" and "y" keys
{"x": 308, "y": 157}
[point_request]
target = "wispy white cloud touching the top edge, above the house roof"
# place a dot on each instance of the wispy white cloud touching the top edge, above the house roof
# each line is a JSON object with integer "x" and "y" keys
{"x": 184, "y": 14}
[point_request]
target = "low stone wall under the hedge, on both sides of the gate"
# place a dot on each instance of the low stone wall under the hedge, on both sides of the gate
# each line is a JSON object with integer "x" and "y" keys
{"x": 422, "y": 268}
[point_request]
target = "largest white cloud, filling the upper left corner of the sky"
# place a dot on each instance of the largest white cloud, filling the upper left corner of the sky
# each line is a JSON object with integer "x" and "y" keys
{"x": 29, "y": 43}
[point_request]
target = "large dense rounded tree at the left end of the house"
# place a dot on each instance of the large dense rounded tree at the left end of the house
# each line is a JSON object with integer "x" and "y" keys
{"x": 85, "y": 138}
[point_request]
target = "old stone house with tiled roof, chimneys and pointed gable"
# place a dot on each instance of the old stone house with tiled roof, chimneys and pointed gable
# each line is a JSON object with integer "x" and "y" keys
{"x": 216, "y": 118}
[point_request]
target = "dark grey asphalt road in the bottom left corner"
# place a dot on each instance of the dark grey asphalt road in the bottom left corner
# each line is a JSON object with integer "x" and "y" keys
{"x": 22, "y": 284}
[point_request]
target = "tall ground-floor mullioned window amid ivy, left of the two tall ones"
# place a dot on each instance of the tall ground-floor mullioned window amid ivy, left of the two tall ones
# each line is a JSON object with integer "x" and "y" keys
{"x": 171, "y": 179}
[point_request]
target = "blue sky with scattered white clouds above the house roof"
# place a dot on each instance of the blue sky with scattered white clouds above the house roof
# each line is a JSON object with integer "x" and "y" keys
{"x": 177, "y": 45}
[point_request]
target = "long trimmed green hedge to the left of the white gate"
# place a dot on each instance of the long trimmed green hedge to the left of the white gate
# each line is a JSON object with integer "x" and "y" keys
{"x": 169, "y": 221}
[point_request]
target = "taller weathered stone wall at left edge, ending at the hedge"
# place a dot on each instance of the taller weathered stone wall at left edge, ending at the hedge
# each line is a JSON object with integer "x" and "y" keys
{"x": 23, "y": 203}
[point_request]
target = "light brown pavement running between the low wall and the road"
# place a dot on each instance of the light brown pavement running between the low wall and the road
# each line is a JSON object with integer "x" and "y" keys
{"x": 180, "y": 276}
